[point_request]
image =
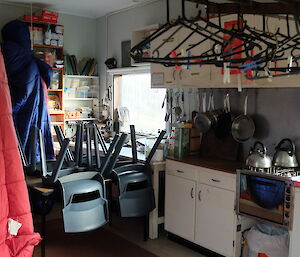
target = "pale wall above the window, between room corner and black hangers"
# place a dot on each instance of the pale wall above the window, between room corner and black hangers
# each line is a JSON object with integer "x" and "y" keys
{"x": 115, "y": 28}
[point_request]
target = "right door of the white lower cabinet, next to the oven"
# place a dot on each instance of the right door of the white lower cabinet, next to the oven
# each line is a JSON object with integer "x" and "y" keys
{"x": 215, "y": 219}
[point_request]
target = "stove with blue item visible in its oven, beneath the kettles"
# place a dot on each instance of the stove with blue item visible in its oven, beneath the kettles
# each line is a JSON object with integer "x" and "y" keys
{"x": 267, "y": 194}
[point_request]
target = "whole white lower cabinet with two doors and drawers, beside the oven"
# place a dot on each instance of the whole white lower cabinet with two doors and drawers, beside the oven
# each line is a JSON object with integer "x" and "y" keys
{"x": 199, "y": 206}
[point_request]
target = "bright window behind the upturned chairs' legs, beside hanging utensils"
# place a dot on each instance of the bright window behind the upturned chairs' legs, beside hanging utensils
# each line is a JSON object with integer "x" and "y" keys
{"x": 133, "y": 92}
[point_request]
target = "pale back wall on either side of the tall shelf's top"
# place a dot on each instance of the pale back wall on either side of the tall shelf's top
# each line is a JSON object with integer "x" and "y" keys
{"x": 80, "y": 33}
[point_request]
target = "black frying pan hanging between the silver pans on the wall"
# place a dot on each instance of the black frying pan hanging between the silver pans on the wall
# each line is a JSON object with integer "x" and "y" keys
{"x": 224, "y": 122}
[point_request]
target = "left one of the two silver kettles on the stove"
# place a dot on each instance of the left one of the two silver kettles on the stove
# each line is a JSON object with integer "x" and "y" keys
{"x": 258, "y": 157}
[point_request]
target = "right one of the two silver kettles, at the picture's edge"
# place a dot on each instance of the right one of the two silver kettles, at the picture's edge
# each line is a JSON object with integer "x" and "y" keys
{"x": 285, "y": 157}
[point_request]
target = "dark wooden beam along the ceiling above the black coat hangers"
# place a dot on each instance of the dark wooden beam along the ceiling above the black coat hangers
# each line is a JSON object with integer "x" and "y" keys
{"x": 252, "y": 7}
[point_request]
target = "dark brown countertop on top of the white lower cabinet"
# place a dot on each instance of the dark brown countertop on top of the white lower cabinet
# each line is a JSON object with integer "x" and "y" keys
{"x": 211, "y": 163}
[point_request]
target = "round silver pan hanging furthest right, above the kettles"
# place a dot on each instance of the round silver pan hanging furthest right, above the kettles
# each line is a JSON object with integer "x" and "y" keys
{"x": 243, "y": 126}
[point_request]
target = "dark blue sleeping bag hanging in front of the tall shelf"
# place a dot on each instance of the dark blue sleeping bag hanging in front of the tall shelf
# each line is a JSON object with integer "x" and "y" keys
{"x": 25, "y": 73}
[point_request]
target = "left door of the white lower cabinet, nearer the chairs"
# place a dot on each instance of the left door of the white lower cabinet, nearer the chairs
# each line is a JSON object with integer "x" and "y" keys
{"x": 180, "y": 206}
